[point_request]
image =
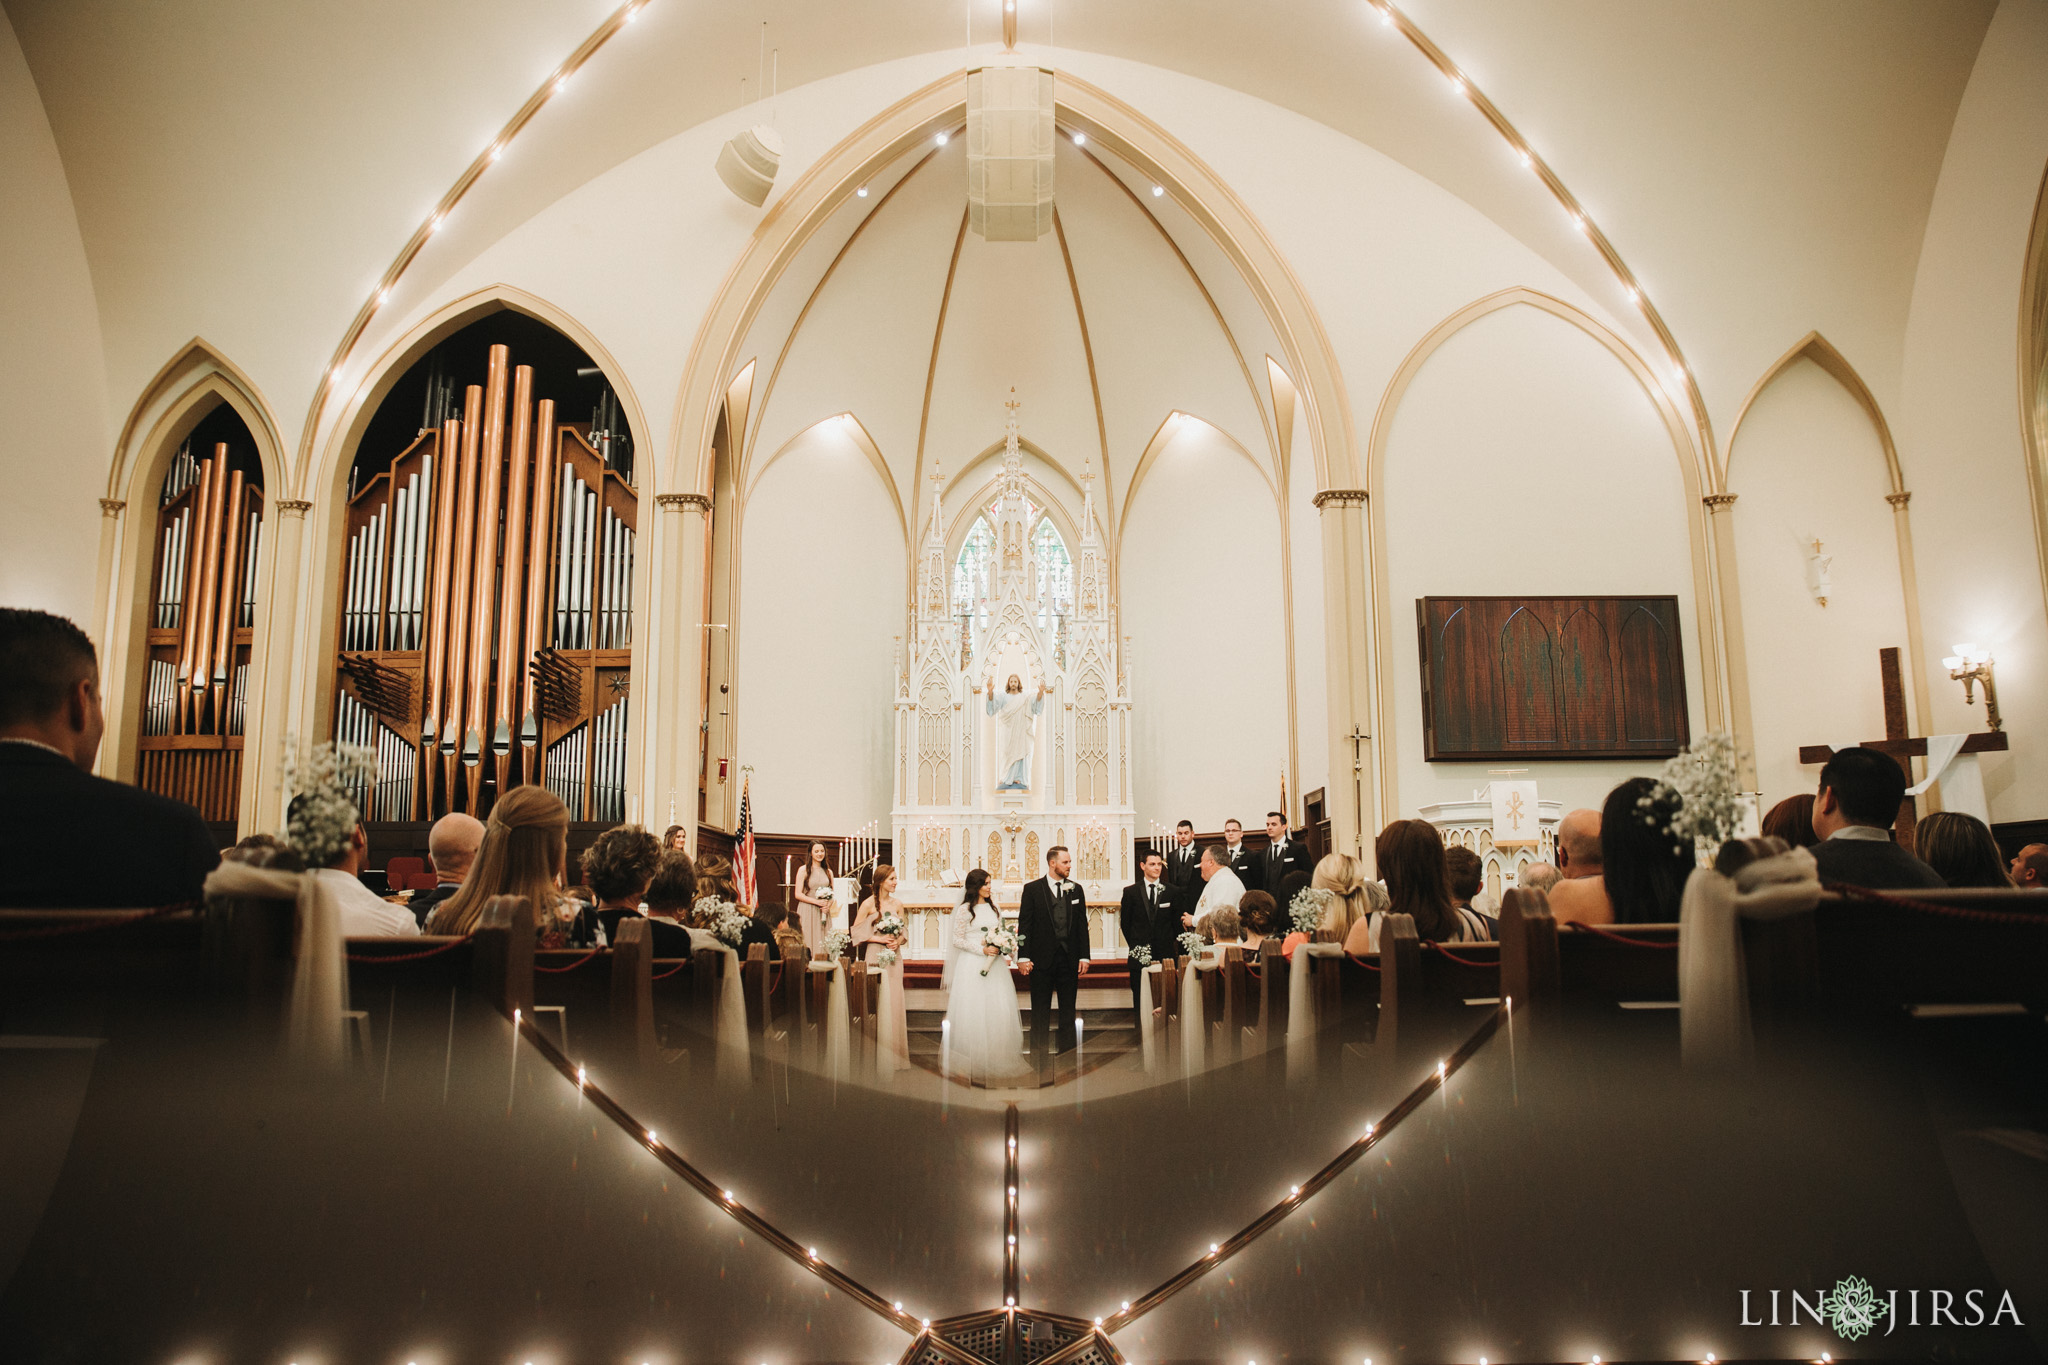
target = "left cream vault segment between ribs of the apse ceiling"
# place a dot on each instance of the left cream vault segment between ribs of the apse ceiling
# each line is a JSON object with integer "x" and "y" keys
{"x": 863, "y": 339}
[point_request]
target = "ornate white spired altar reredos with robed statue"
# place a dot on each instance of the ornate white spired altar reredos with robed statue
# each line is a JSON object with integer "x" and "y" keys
{"x": 988, "y": 777}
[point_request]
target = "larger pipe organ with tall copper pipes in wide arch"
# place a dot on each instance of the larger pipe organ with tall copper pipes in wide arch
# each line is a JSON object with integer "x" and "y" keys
{"x": 486, "y": 617}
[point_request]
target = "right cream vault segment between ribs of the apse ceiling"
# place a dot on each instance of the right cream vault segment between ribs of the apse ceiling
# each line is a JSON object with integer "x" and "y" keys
{"x": 1158, "y": 343}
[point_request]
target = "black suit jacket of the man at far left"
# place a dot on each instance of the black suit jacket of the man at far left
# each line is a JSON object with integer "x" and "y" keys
{"x": 77, "y": 842}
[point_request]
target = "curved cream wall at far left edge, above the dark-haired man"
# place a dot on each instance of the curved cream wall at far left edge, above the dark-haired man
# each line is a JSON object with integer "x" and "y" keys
{"x": 54, "y": 367}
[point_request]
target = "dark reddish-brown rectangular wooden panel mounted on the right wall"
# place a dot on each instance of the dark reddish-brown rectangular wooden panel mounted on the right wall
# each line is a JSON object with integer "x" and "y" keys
{"x": 1551, "y": 678}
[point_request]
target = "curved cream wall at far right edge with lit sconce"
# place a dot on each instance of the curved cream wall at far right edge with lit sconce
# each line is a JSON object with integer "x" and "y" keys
{"x": 1959, "y": 425}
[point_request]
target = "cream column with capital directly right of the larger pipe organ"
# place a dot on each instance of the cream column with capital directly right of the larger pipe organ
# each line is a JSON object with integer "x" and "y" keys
{"x": 679, "y": 725}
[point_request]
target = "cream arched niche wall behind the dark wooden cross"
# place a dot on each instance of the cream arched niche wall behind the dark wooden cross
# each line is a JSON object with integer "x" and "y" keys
{"x": 1807, "y": 466}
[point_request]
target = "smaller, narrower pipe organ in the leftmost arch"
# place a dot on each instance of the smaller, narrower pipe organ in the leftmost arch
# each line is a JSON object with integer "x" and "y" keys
{"x": 202, "y": 625}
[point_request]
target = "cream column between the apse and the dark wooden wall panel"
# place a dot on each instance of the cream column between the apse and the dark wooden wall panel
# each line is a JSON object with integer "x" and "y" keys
{"x": 1347, "y": 609}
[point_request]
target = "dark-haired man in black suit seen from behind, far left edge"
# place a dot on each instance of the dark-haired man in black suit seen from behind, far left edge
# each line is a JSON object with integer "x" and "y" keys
{"x": 75, "y": 840}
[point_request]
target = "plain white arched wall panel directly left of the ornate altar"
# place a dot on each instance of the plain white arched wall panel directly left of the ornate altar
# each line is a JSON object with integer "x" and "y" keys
{"x": 820, "y": 599}
